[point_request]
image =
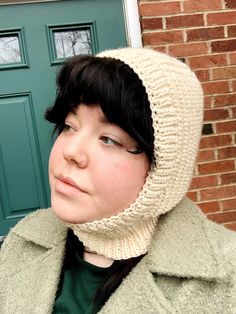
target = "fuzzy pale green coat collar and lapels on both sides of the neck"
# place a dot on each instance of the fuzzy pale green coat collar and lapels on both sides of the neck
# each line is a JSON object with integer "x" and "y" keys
{"x": 182, "y": 248}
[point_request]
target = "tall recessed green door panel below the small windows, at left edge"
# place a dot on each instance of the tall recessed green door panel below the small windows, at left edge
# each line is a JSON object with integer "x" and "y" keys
{"x": 18, "y": 115}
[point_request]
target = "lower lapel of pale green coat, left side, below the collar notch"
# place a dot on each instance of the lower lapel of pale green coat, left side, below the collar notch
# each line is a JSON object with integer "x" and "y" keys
{"x": 33, "y": 288}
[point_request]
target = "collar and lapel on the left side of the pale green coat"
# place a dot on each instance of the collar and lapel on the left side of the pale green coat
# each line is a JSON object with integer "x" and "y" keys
{"x": 31, "y": 288}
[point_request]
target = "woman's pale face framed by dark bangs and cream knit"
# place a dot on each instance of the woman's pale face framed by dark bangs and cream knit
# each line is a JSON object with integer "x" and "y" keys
{"x": 92, "y": 172}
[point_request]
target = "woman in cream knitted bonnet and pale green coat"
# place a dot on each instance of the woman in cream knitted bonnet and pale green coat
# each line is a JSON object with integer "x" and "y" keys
{"x": 121, "y": 237}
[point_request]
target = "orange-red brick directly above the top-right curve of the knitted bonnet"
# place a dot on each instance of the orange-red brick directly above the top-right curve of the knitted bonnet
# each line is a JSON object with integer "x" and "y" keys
{"x": 183, "y": 50}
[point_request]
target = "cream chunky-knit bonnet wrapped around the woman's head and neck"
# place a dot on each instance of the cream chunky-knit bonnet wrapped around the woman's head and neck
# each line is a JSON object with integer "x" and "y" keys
{"x": 176, "y": 103}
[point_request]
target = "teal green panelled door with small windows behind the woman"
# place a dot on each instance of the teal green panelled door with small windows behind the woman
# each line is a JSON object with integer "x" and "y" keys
{"x": 34, "y": 41}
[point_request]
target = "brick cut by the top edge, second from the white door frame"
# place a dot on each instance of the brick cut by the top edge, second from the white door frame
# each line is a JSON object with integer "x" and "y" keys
{"x": 202, "y": 5}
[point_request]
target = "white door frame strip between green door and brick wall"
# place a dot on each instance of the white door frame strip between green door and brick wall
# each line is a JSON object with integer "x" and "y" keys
{"x": 132, "y": 22}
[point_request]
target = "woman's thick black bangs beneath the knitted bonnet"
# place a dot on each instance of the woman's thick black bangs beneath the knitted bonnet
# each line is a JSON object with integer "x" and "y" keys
{"x": 112, "y": 85}
